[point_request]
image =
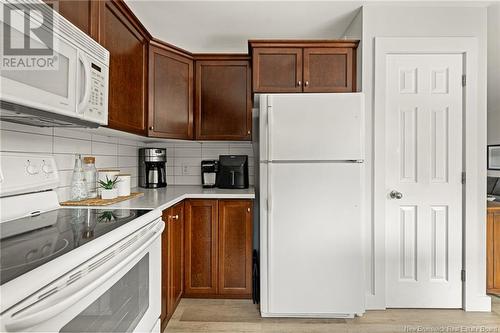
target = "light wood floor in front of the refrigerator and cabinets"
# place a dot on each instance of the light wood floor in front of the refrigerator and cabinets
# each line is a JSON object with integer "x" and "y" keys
{"x": 201, "y": 315}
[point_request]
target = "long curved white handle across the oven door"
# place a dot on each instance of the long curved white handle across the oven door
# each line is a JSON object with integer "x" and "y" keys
{"x": 31, "y": 315}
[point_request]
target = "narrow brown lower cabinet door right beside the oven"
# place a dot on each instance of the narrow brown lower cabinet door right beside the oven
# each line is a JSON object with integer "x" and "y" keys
{"x": 176, "y": 257}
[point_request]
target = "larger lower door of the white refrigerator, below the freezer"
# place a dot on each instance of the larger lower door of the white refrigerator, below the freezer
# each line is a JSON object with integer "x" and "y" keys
{"x": 312, "y": 240}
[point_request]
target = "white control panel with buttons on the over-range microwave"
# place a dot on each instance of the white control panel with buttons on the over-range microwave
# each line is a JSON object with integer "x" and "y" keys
{"x": 97, "y": 107}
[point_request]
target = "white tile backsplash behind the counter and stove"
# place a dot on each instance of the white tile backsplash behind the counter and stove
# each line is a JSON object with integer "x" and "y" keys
{"x": 183, "y": 157}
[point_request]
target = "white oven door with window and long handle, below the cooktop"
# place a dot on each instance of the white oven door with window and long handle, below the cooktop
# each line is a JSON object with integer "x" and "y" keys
{"x": 116, "y": 291}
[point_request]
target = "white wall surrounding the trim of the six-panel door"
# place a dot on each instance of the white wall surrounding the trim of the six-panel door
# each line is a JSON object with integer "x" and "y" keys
{"x": 413, "y": 21}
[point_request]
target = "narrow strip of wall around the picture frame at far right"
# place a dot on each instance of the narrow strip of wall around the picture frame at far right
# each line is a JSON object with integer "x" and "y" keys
{"x": 494, "y": 78}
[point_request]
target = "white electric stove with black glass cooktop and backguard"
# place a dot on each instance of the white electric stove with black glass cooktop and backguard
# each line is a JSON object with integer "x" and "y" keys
{"x": 73, "y": 269}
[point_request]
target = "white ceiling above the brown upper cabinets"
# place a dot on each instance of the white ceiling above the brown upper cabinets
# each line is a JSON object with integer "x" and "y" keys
{"x": 222, "y": 26}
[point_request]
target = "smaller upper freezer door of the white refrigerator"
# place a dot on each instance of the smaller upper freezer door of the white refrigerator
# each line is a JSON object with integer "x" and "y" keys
{"x": 312, "y": 126}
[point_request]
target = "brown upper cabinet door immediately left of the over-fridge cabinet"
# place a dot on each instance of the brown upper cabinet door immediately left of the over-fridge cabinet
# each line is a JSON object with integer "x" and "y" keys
{"x": 223, "y": 100}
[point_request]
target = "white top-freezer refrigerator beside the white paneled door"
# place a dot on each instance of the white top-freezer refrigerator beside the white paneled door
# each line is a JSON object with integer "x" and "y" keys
{"x": 311, "y": 189}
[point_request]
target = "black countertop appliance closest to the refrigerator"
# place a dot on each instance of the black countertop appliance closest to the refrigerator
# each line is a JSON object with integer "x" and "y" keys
{"x": 233, "y": 171}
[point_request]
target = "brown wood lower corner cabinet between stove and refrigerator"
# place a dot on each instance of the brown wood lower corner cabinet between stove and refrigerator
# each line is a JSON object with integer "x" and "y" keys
{"x": 206, "y": 252}
